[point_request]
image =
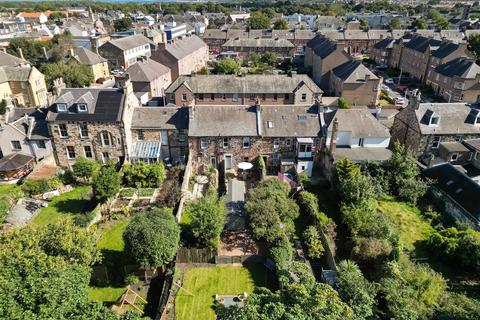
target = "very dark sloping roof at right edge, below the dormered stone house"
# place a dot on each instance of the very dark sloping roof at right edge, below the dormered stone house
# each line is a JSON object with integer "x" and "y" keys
{"x": 457, "y": 185}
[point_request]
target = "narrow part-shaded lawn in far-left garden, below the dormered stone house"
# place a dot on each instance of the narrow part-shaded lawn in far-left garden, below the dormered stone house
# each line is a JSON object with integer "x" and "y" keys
{"x": 70, "y": 203}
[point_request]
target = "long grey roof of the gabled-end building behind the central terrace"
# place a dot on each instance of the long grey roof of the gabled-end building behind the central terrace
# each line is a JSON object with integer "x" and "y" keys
{"x": 255, "y": 84}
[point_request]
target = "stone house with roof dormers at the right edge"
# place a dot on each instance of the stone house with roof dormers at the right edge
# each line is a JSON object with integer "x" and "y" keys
{"x": 424, "y": 126}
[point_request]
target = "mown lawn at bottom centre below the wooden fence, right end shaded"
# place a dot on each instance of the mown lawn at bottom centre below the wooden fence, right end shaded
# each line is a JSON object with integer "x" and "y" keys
{"x": 204, "y": 283}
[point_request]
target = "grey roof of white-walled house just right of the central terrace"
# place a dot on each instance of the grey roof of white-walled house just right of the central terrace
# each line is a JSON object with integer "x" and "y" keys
{"x": 360, "y": 122}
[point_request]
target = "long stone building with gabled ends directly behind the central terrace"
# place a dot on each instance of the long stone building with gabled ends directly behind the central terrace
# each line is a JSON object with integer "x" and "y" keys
{"x": 229, "y": 90}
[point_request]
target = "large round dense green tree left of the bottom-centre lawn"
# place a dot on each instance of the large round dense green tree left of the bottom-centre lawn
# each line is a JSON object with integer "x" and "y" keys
{"x": 152, "y": 237}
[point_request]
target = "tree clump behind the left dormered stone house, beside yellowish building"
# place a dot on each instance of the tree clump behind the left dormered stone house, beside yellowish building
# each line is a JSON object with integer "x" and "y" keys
{"x": 75, "y": 75}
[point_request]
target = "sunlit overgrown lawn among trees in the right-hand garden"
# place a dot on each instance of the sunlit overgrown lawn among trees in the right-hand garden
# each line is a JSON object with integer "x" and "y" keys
{"x": 413, "y": 227}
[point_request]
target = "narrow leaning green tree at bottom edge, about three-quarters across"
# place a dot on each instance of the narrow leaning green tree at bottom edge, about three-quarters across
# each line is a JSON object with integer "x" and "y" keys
{"x": 355, "y": 290}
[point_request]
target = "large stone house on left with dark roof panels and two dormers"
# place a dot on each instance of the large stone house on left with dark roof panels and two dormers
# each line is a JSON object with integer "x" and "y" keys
{"x": 94, "y": 123}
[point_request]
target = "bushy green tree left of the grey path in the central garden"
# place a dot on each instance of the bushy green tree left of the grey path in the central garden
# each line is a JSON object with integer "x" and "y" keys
{"x": 207, "y": 219}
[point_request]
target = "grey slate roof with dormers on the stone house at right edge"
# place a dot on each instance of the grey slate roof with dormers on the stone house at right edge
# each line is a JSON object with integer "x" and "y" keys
{"x": 455, "y": 118}
